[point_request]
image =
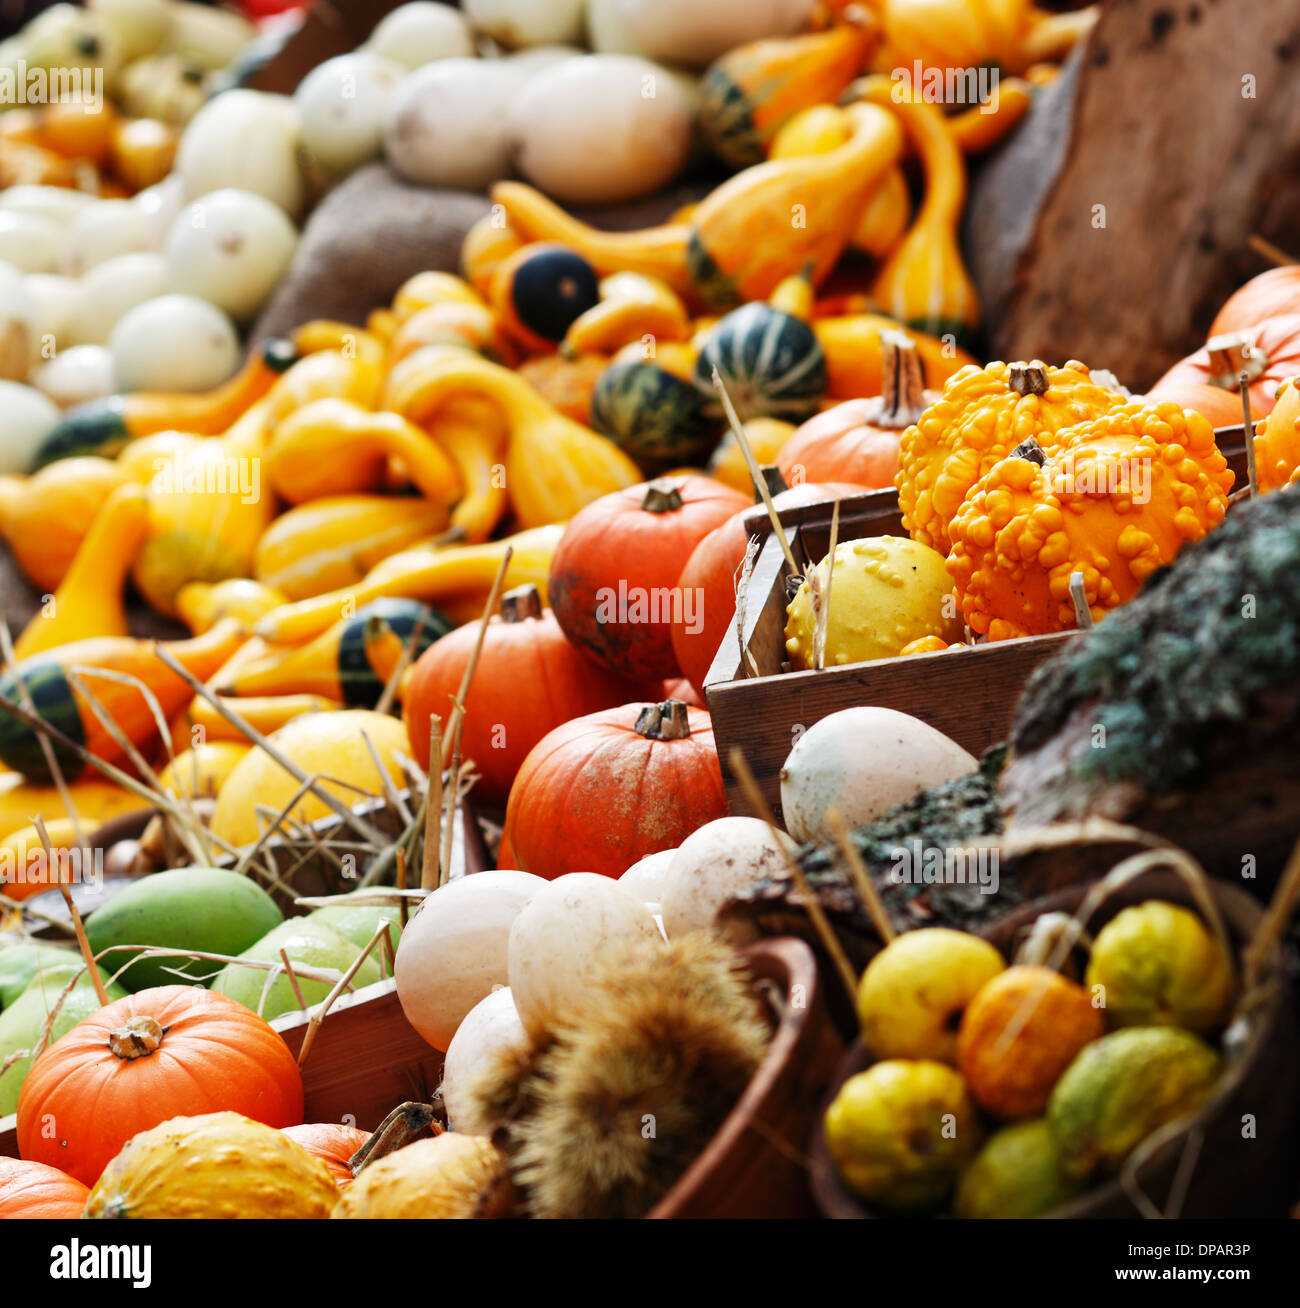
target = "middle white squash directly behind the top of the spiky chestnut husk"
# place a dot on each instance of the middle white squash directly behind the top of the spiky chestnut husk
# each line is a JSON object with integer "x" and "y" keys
{"x": 559, "y": 937}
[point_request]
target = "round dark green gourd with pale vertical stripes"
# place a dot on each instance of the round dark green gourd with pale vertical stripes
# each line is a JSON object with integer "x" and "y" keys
{"x": 771, "y": 363}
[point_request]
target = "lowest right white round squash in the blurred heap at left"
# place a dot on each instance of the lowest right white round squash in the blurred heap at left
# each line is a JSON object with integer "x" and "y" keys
{"x": 173, "y": 343}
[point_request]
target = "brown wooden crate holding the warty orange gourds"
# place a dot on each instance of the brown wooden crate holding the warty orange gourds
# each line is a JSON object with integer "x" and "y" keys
{"x": 968, "y": 697}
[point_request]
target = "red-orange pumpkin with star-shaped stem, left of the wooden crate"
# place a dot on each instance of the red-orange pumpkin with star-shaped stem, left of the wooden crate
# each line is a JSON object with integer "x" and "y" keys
{"x": 615, "y": 574}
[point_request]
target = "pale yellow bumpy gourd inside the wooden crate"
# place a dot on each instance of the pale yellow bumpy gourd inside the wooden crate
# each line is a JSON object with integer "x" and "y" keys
{"x": 887, "y": 593}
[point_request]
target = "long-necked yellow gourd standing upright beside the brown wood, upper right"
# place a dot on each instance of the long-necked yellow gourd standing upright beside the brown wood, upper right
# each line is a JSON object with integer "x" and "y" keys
{"x": 925, "y": 283}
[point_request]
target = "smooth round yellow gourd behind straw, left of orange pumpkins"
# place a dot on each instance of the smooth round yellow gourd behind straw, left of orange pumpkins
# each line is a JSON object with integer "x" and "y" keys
{"x": 325, "y": 745}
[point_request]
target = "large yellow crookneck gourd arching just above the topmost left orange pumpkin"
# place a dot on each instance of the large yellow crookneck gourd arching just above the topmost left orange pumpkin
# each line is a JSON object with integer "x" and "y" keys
{"x": 554, "y": 466}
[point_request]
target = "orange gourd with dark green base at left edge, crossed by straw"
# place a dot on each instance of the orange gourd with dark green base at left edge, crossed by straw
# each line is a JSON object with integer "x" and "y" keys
{"x": 46, "y": 680}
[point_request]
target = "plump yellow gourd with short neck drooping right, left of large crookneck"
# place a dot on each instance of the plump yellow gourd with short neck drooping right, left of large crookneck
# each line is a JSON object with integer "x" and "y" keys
{"x": 333, "y": 447}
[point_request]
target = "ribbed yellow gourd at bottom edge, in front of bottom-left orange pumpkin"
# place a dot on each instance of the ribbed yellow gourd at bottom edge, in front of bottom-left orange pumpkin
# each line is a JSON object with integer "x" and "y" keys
{"x": 214, "y": 1166}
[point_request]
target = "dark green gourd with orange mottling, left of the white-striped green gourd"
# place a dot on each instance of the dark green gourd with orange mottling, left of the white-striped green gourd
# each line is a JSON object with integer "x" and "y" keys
{"x": 652, "y": 415}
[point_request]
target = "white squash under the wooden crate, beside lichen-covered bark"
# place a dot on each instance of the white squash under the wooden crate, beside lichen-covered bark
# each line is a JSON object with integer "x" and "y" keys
{"x": 864, "y": 762}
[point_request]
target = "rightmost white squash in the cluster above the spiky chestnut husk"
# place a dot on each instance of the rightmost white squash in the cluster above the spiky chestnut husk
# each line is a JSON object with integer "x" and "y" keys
{"x": 716, "y": 864}
